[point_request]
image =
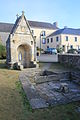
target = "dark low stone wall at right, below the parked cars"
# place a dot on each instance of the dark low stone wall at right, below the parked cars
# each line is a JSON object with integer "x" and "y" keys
{"x": 70, "y": 59}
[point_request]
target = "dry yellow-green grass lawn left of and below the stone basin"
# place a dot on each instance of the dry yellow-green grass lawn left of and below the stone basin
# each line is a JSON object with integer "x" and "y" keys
{"x": 14, "y": 106}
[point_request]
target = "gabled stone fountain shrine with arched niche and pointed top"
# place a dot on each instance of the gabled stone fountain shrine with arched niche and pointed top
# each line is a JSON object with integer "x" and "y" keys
{"x": 21, "y": 46}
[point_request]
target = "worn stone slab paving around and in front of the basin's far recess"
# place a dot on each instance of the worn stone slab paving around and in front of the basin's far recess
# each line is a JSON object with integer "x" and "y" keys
{"x": 47, "y": 93}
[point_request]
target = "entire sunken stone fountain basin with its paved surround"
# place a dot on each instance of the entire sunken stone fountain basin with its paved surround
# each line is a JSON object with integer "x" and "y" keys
{"x": 54, "y": 88}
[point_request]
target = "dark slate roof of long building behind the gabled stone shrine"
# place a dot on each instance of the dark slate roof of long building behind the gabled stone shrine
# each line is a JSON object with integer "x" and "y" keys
{"x": 7, "y": 27}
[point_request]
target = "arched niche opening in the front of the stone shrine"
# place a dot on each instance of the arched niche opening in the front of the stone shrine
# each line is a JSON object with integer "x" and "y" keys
{"x": 24, "y": 55}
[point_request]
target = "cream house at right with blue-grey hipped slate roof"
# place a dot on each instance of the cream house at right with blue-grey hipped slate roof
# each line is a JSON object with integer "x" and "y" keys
{"x": 67, "y": 38}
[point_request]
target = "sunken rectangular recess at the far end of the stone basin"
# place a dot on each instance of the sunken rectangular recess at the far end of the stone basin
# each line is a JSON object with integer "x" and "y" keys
{"x": 47, "y": 76}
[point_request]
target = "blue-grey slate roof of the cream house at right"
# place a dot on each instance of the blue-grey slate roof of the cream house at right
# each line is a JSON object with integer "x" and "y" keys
{"x": 70, "y": 31}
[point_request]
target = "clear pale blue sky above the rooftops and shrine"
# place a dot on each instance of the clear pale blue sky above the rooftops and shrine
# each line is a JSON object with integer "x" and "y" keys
{"x": 65, "y": 12}
